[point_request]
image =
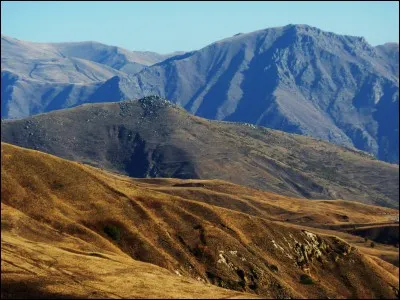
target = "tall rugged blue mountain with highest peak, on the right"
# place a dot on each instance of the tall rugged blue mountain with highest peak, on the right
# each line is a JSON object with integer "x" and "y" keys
{"x": 294, "y": 78}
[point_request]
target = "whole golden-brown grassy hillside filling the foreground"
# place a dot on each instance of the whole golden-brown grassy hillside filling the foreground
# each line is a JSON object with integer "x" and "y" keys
{"x": 69, "y": 230}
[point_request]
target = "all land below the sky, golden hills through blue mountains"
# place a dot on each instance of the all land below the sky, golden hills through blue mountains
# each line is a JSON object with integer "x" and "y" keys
{"x": 264, "y": 165}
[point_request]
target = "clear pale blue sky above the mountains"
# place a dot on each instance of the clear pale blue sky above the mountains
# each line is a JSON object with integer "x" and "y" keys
{"x": 165, "y": 27}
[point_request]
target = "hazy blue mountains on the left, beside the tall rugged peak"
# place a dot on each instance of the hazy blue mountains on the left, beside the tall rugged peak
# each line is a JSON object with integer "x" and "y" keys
{"x": 38, "y": 77}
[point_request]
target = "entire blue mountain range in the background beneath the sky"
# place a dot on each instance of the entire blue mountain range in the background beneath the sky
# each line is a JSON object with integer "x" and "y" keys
{"x": 295, "y": 78}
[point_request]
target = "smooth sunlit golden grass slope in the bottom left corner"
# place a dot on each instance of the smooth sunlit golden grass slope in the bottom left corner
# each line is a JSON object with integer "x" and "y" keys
{"x": 35, "y": 270}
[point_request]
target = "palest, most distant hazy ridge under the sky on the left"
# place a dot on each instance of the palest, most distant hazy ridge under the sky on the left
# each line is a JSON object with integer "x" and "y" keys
{"x": 80, "y": 62}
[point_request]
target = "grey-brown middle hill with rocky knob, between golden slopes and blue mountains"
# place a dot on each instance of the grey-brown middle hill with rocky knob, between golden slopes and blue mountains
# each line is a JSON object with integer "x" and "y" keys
{"x": 153, "y": 138}
